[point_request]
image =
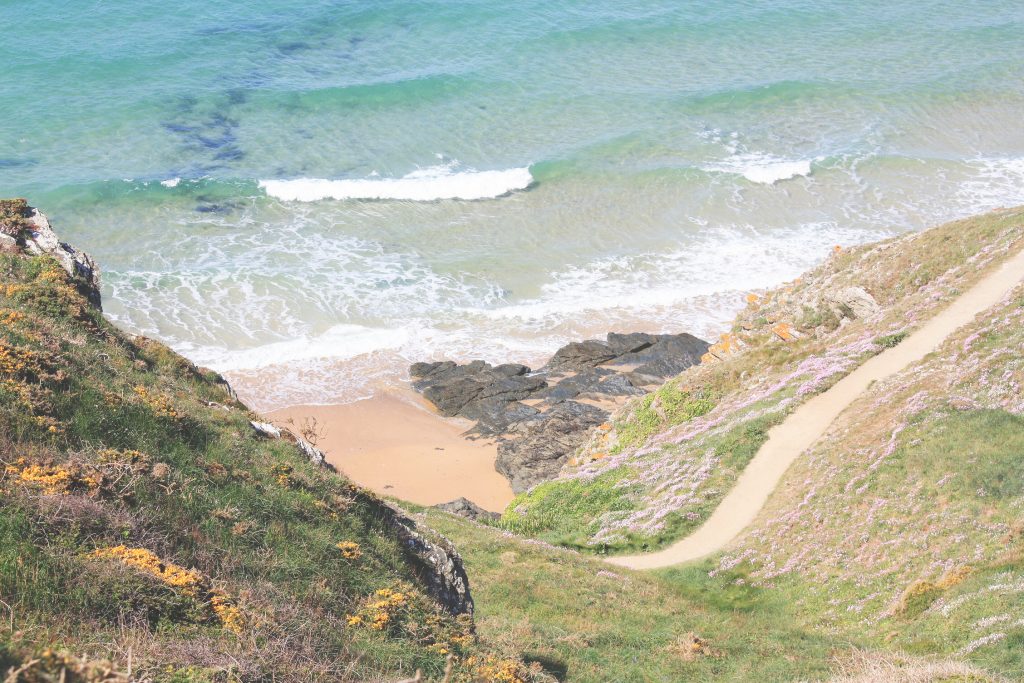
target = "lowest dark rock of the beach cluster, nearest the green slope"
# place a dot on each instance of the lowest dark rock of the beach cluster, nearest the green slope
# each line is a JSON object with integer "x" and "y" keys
{"x": 536, "y": 450}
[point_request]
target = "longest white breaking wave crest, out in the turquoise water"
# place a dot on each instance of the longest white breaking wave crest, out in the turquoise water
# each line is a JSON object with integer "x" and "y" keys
{"x": 436, "y": 183}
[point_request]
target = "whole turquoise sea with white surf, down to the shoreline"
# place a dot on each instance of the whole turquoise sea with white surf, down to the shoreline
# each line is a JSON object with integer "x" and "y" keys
{"x": 261, "y": 180}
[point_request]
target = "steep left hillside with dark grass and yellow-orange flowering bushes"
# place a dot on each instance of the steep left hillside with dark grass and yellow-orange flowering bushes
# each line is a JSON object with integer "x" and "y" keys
{"x": 146, "y": 523}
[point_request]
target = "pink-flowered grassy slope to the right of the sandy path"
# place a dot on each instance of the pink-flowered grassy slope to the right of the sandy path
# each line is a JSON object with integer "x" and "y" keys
{"x": 907, "y": 522}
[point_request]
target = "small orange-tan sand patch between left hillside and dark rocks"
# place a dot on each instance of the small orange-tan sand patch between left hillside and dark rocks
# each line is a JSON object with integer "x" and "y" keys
{"x": 396, "y": 445}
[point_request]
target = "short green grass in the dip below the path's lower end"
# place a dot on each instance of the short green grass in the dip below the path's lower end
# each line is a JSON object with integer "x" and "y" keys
{"x": 596, "y": 623}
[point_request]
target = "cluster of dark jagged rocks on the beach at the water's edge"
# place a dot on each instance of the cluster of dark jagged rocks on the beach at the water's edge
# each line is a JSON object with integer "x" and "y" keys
{"x": 536, "y": 441}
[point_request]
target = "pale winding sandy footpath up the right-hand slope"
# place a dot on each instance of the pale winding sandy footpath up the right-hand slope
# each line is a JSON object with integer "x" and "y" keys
{"x": 805, "y": 425}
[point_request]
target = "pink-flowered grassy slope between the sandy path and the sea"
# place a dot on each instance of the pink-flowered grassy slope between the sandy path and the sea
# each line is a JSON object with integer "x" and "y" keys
{"x": 660, "y": 468}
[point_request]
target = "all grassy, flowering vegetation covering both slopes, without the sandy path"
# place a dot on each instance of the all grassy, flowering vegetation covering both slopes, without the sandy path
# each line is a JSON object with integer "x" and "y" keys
{"x": 150, "y": 532}
